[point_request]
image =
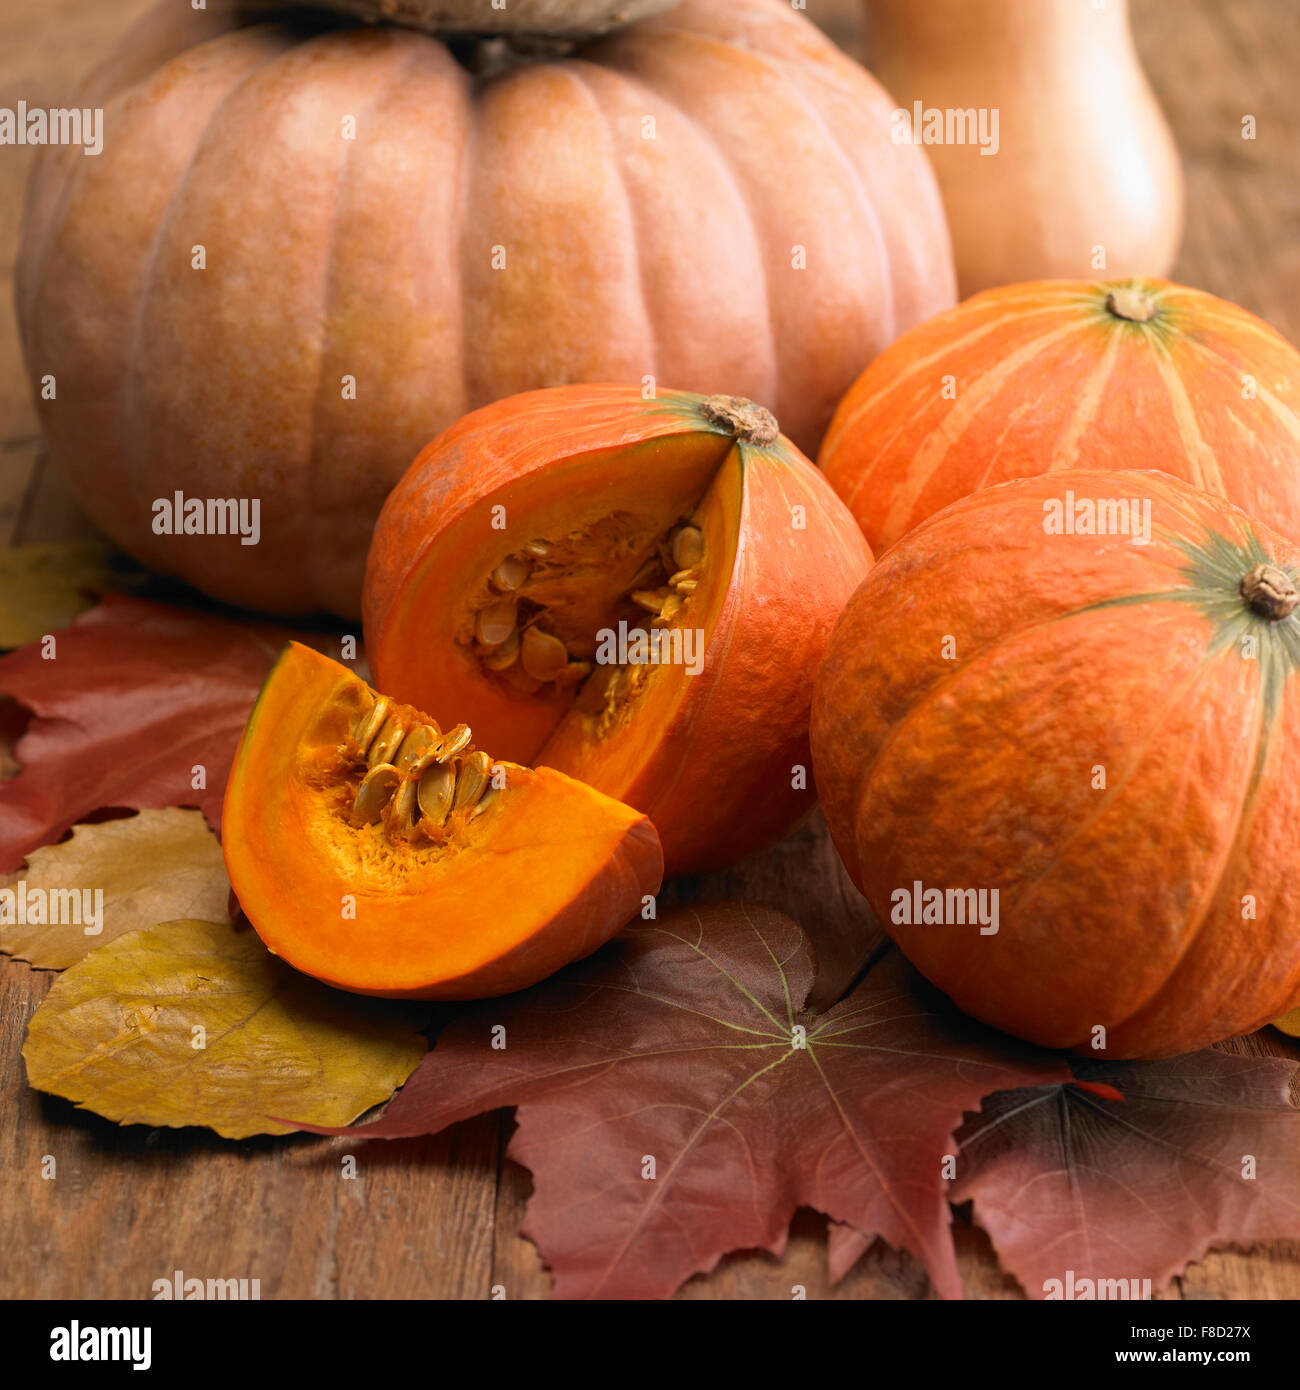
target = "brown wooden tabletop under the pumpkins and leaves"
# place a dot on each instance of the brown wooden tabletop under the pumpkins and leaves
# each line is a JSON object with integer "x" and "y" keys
{"x": 440, "y": 1217}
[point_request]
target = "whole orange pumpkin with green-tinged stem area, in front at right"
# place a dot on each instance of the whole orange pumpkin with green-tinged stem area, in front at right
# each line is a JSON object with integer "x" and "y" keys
{"x": 1164, "y": 906}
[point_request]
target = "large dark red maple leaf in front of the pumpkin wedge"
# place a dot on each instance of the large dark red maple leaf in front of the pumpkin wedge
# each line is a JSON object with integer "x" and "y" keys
{"x": 676, "y": 1104}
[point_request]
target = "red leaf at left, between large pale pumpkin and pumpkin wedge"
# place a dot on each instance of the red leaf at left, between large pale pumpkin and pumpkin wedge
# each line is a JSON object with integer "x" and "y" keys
{"x": 136, "y": 698}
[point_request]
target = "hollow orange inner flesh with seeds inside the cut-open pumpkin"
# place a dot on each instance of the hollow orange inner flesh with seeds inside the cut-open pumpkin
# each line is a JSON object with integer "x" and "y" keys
{"x": 594, "y": 578}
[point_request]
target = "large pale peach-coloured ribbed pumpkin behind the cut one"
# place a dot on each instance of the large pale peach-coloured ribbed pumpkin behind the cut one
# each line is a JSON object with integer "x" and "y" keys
{"x": 380, "y": 259}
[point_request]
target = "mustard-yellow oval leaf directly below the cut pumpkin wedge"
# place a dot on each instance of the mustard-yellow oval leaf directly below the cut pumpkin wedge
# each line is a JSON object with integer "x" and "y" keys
{"x": 119, "y": 1033}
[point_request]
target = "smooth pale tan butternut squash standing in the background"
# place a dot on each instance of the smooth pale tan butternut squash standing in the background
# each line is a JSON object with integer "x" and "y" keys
{"x": 1082, "y": 179}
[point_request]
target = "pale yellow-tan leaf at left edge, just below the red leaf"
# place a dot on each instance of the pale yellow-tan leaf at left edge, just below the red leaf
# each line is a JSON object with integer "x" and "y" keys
{"x": 156, "y": 867}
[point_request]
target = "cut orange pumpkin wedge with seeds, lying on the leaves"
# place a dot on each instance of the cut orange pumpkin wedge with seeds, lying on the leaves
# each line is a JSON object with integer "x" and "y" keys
{"x": 386, "y": 856}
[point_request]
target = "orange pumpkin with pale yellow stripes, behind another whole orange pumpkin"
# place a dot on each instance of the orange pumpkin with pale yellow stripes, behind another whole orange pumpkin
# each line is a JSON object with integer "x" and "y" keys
{"x": 1043, "y": 377}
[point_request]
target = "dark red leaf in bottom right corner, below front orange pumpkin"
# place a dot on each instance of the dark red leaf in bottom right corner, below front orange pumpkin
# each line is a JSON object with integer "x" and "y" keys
{"x": 1203, "y": 1152}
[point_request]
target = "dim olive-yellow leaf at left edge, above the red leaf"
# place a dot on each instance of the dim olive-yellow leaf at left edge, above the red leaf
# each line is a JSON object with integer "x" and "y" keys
{"x": 44, "y": 587}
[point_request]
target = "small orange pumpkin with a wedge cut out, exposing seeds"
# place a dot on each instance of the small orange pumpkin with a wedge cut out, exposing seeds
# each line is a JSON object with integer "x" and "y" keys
{"x": 636, "y": 593}
